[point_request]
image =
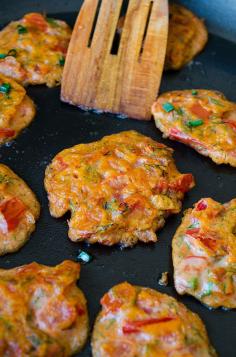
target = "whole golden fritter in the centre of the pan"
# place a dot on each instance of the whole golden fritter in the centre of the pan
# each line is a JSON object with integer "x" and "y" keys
{"x": 119, "y": 189}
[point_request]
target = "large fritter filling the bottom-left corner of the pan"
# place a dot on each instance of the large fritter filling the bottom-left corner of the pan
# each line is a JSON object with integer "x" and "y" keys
{"x": 43, "y": 313}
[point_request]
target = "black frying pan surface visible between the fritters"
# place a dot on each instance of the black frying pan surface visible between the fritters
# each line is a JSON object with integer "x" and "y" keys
{"x": 58, "y": 126}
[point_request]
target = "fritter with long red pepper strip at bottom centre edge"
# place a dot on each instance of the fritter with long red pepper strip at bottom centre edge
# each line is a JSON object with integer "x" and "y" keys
{"x": 141, "y": 322}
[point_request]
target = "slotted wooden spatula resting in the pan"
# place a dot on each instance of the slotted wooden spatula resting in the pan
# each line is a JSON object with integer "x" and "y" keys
{"x": 115, "y": 76}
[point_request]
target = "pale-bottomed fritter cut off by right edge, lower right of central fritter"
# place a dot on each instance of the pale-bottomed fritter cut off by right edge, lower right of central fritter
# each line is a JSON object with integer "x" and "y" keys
{"x": 204, "y": 253}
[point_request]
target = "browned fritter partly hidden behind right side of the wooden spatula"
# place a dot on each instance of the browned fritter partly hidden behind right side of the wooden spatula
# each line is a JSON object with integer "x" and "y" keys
{"x": 187, "y": 37}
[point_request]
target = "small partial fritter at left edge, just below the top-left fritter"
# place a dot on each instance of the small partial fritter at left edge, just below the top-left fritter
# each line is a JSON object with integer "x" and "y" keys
{"x": 17, "y": 110}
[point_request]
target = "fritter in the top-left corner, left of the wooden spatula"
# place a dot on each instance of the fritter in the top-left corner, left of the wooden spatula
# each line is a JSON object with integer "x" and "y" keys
{"x": 33, "y": 49}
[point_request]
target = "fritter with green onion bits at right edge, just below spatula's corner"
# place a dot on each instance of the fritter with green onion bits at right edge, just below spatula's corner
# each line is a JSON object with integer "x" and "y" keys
{"x": 202, "y": 119}
